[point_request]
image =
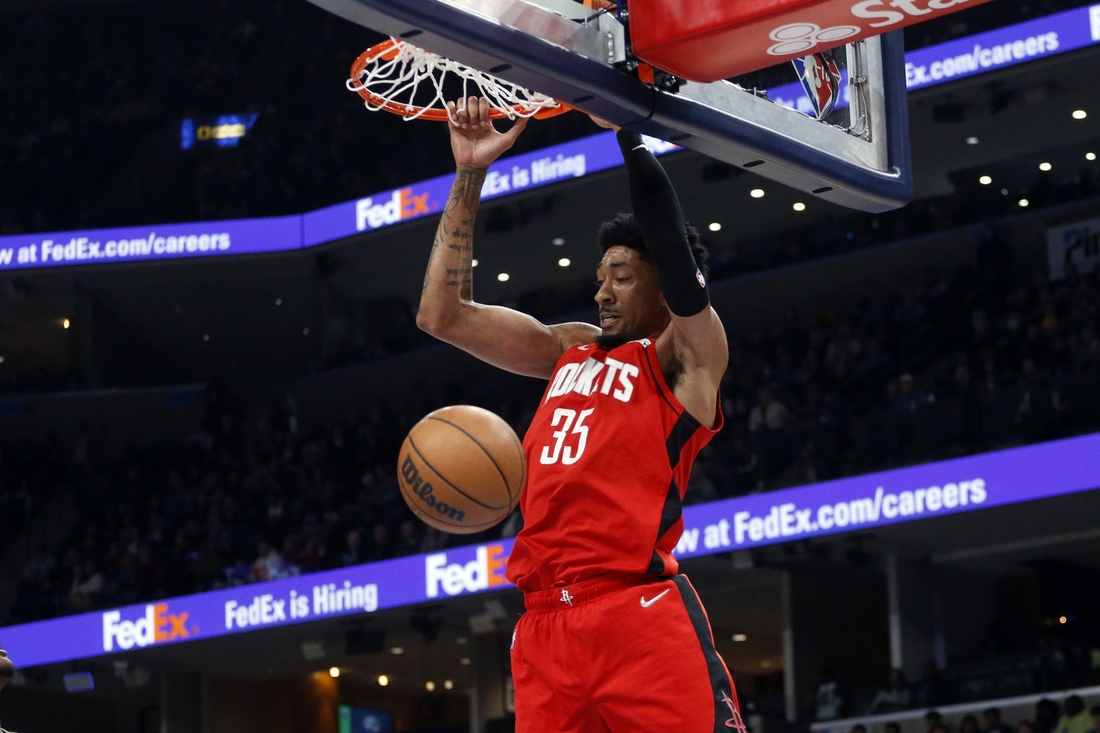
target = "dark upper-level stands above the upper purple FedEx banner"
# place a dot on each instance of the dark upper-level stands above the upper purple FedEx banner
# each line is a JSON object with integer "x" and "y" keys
{"x": 103, "y": 134}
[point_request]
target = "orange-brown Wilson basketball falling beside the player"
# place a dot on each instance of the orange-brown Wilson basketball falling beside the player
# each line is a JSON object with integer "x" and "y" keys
{"x": 461, "y": 469}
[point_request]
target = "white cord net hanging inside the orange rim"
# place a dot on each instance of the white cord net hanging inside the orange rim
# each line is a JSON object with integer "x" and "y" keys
{"x": 398, "y": 80}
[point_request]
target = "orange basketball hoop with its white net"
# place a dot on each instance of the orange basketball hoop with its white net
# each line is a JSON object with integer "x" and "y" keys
{"x": 389, "y": 75}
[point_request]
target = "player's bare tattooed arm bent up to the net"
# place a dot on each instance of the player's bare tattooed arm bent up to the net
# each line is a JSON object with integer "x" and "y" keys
{"x": 502, "y": 337}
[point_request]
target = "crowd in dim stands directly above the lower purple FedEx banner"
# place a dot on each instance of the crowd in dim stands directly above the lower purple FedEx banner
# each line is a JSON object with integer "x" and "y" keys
{"x": 917, "y": 371}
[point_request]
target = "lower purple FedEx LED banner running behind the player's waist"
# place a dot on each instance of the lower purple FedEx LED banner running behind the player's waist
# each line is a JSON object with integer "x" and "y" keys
{"x": 877, "y": 500}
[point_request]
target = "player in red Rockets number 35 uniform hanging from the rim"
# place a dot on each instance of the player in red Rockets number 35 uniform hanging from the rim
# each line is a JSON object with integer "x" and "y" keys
{"x": 614, "y": 640}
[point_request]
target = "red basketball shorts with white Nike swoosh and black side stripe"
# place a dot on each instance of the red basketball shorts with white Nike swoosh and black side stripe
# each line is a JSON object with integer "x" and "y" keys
{"x": 622, "y": 654}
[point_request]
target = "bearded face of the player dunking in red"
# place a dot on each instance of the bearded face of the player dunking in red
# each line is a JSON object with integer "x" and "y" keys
{"x": 630, "y": 298}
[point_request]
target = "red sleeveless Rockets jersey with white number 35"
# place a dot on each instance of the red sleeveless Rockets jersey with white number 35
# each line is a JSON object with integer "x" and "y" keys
{"x": 609, "y": 455}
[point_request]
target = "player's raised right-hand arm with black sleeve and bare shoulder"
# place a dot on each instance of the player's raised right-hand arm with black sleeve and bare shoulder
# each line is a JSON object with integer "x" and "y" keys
{"x": 695, "y": 346}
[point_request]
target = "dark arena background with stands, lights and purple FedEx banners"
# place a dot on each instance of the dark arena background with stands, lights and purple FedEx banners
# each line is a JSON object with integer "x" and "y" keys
{"x": 211, "y": 262}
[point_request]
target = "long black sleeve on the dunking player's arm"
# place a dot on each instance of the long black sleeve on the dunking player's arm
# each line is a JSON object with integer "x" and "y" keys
{"x": 657, "y": 212}
